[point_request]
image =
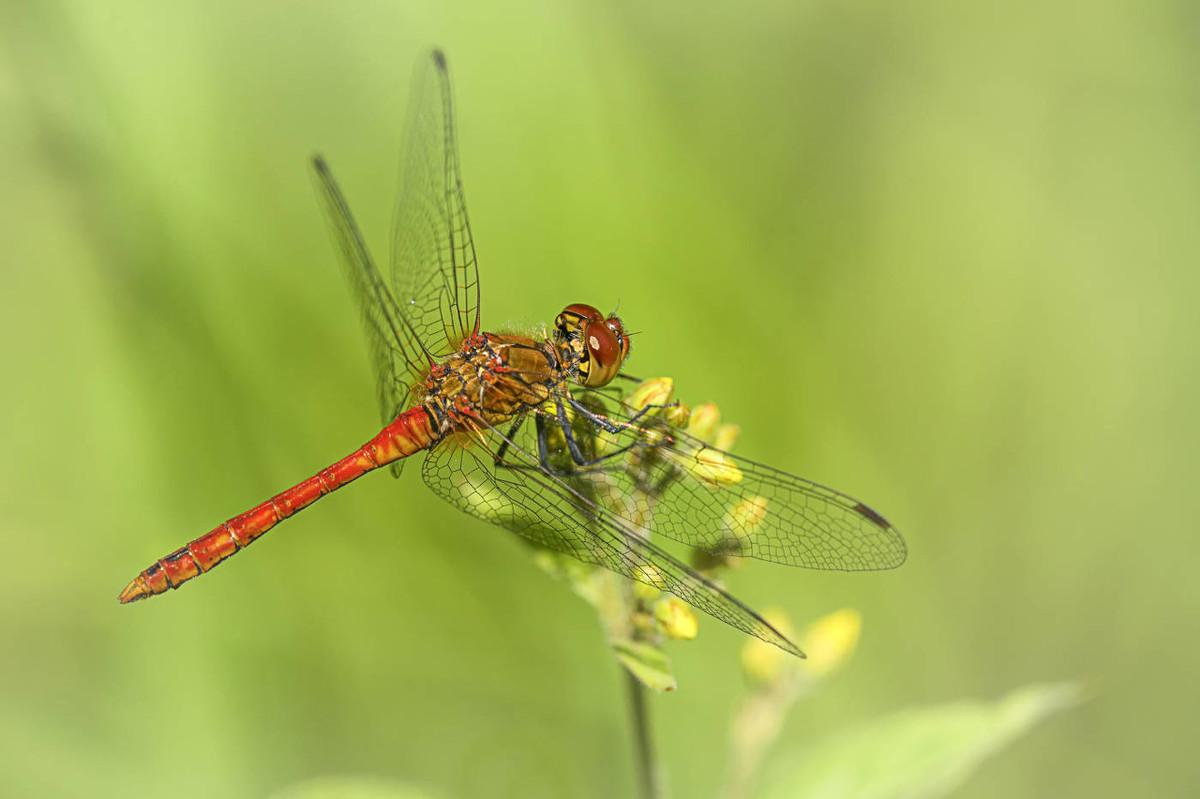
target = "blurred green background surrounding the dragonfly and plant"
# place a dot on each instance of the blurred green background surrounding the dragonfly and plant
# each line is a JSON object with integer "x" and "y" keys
{"x": 940, "y": 256}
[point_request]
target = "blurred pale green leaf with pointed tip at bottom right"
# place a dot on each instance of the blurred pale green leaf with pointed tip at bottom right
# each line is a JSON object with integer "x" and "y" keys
{"x": 920, "y": 753}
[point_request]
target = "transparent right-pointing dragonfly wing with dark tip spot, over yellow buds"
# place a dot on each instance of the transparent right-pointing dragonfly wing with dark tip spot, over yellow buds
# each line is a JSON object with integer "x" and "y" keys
{"x": 682, "y": 489}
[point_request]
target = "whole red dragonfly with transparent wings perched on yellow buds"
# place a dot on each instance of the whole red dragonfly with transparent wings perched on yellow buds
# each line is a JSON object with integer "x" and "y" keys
{"x": 530, "y": 431}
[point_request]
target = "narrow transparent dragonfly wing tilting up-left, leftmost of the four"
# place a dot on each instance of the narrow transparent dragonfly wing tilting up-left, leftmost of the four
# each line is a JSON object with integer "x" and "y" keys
{"x": 397, "y": 351}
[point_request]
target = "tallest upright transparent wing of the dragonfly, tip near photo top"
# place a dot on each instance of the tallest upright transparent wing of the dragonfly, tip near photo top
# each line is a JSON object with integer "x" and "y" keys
{"x": 435, "y": 274}
